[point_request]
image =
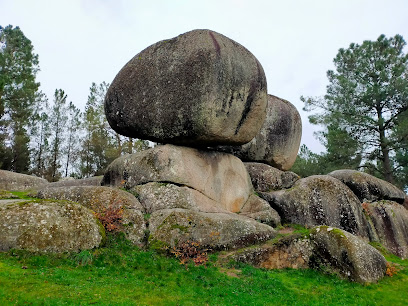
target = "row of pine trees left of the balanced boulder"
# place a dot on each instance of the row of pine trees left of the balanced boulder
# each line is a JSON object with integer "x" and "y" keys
{"x": 51, "y": 139}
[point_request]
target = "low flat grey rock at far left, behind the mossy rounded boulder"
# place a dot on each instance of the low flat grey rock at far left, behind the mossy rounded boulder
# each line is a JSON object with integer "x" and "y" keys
{"x": 19, "y": 182}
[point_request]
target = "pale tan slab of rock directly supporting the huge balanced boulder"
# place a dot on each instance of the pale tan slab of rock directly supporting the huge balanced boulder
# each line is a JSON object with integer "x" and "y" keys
{"x": 219, "y": 176}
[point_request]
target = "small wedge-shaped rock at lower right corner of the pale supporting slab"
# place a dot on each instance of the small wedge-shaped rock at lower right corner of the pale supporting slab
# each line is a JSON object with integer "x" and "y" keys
{"x": 258, "y": 209}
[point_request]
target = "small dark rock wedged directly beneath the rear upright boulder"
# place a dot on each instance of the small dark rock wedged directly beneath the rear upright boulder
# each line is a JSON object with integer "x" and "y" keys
{"x": 266, "y": 178}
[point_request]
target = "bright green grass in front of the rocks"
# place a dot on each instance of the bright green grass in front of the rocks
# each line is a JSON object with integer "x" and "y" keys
{"x": 122, "y": 274}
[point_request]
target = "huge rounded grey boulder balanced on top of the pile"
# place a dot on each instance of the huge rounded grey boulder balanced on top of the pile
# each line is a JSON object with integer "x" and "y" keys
{"x": 199, "y": 88}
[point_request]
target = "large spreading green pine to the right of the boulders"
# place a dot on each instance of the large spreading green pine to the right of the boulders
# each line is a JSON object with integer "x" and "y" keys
{"x": 366, "y": 99}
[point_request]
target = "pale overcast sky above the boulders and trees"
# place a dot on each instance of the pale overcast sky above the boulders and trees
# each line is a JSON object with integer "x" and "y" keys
{"x": 85, "y": 41}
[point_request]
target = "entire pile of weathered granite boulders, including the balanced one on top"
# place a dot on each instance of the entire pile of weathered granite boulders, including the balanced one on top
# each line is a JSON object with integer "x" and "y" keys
{"x": 220, "y": 176}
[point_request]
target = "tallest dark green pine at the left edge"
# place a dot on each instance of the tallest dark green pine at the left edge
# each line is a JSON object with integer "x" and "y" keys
{"x": 18, "y": 97}
